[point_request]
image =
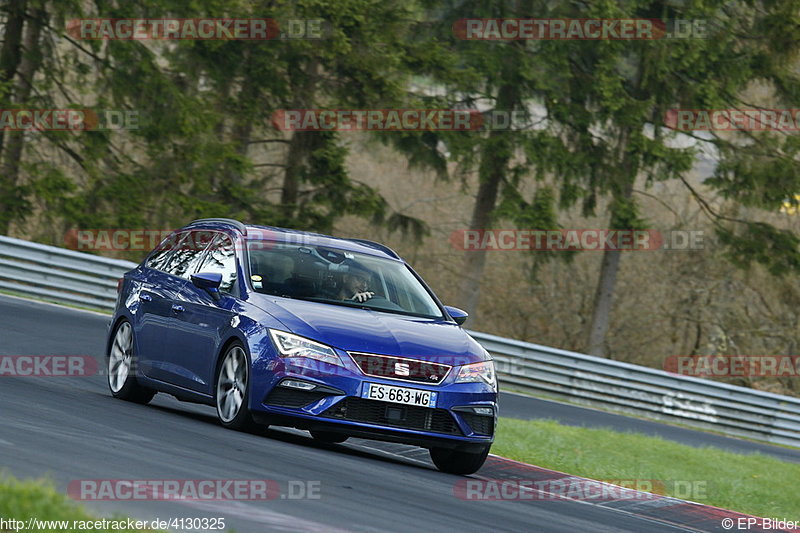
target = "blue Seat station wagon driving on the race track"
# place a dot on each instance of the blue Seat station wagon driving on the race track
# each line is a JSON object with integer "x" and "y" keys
{"x": 273, "y": 326}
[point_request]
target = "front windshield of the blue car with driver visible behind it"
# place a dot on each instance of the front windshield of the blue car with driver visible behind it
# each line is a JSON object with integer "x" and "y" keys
{"x": 338, "y": 277}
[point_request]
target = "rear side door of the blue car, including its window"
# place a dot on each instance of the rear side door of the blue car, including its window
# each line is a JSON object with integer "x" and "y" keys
{"x": 167, "y": 282}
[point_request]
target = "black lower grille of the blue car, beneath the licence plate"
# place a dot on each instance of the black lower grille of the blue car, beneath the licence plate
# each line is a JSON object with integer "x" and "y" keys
{"x": 394, "y": 414}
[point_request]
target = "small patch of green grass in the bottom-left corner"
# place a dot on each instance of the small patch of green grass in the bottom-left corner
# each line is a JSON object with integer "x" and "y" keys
{"x": 21, "y": 500}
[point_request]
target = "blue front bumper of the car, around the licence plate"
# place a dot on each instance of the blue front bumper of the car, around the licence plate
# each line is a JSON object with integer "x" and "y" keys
{"x": 336, "y": 405}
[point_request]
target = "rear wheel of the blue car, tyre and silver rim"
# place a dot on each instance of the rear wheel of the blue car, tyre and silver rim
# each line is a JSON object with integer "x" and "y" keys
{"x": 122, "y": 368}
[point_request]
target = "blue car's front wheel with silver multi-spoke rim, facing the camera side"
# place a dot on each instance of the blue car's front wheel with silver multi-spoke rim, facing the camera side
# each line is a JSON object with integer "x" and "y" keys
{"x": 232, "y": 391}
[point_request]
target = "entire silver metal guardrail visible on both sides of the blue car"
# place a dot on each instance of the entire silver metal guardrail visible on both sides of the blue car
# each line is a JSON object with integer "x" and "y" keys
{"x": 77, "y": 278}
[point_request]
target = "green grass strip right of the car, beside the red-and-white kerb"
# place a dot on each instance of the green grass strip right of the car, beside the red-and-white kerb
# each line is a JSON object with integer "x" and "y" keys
{"x": 753, "y": 484}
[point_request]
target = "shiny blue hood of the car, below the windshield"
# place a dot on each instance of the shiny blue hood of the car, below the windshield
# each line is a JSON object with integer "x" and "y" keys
{"x": 363, "y": 330}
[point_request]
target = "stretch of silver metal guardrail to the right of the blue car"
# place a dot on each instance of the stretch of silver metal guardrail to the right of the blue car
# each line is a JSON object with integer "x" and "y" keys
{"x": 643, "y": 391}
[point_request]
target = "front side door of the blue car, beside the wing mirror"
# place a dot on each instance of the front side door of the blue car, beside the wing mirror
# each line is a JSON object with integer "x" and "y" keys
{"x": 201, "y": 320}
